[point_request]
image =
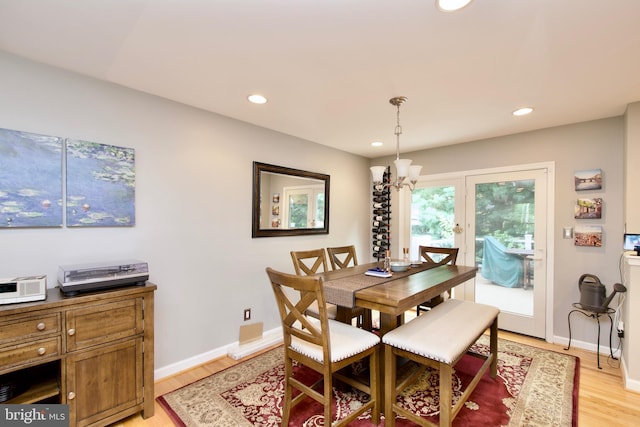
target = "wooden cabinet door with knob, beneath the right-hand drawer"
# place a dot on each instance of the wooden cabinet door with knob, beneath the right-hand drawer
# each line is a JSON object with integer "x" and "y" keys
{"x": 104, "y": 381}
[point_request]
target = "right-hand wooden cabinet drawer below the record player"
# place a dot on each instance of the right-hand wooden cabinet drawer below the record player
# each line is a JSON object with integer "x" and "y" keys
{"x": 95, "y": 325}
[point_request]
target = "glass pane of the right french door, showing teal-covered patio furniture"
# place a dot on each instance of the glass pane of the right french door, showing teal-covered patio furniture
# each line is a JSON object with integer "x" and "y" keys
{"x": 504, "y": 224}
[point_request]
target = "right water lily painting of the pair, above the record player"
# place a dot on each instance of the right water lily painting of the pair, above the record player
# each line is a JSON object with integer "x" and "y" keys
{"x": 100, "y": 185}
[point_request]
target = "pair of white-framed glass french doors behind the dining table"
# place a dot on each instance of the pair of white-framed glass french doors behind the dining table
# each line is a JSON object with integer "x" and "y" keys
{"x": 499, "y": 222}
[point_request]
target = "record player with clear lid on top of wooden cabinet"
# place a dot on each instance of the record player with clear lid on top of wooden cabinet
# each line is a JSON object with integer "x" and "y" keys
{"x": 73, "y": 279}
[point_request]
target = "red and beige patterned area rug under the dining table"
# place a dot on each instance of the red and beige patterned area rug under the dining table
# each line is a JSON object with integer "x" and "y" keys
{"x": 534, "y": 387}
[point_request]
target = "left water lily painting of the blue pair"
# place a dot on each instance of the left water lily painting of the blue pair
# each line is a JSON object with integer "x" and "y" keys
{"x": 30, "y": 180}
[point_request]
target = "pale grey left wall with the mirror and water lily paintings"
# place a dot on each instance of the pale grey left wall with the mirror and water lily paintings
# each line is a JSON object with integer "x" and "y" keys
{"x": 193, "y": 203}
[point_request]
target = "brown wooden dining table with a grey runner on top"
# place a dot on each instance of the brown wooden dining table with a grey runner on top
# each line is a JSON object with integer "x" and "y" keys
{"x": 390, "y": 296}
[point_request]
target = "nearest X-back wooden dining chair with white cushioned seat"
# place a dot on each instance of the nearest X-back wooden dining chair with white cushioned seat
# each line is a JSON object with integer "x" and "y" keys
{"x": 324, "y": 345}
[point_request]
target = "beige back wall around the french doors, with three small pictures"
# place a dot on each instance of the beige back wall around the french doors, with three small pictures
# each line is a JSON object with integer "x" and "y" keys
{"x": 594, "y": 144}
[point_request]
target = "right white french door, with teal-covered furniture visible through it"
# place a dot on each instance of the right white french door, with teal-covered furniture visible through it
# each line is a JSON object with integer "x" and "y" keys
{"x": 506, "y": 239}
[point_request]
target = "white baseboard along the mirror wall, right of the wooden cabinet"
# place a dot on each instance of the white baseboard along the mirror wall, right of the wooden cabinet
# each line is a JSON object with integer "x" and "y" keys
{"x": 269, "y": 338}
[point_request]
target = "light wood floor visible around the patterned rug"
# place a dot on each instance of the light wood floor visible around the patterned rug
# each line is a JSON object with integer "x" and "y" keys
{"x": 602, "y": 399}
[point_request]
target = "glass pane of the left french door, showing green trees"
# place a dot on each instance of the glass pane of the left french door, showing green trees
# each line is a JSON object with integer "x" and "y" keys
{"x": 432, "y": 218}
